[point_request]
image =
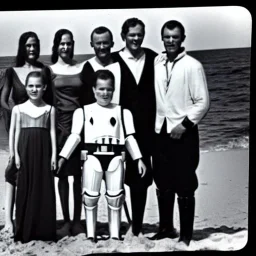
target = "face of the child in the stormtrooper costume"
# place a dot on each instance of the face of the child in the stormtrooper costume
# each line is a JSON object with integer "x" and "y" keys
{"x": 103, "y": 91}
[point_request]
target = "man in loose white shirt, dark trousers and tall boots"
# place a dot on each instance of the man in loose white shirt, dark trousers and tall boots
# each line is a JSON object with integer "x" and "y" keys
{"x": 182, "y": 100}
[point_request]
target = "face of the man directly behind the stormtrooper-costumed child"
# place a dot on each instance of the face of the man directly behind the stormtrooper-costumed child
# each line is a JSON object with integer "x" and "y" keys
{"x": 102, "y": 45}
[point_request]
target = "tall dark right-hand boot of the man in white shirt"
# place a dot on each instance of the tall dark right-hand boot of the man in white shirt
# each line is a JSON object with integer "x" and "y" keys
{"x": 187, "y": 211}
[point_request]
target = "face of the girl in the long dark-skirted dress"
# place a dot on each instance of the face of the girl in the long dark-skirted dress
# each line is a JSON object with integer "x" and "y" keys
{"x": 35, "y": 88}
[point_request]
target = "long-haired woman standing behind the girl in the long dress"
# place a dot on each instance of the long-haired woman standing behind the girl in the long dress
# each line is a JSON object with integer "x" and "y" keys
{"x": 13, "y": 93}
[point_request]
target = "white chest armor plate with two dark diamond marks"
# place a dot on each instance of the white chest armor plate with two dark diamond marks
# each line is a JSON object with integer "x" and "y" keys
{"x": 103, "y": 125}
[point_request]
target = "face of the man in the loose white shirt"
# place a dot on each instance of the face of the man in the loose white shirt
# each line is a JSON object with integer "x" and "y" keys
{"x": 172, "y": 39}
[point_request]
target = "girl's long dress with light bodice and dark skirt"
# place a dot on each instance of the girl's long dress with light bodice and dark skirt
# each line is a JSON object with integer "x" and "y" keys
{"x": 35, "y": 201}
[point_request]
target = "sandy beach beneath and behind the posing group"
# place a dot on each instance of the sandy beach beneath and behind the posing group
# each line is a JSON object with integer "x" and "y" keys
{"x": 221, "y": 215}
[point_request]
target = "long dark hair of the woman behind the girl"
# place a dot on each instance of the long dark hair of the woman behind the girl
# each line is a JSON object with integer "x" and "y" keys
{"x": 22, "y": 53}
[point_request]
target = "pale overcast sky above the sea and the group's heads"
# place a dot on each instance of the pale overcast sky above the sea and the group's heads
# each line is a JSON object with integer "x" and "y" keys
{"x": 217, "y": 27}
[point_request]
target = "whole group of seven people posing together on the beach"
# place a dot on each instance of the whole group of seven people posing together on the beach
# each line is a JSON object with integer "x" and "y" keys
{"x": 127, "y": 117}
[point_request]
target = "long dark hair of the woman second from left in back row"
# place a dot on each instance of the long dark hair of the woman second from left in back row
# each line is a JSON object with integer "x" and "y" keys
{"x": 56, "y": 43}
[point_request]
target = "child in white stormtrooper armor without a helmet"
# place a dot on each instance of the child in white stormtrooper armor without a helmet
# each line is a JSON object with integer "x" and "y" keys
{"x": 108, "y": 132}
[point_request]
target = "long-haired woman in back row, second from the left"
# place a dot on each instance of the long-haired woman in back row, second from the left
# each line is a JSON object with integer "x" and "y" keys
{"x": 69, "y": 91}
